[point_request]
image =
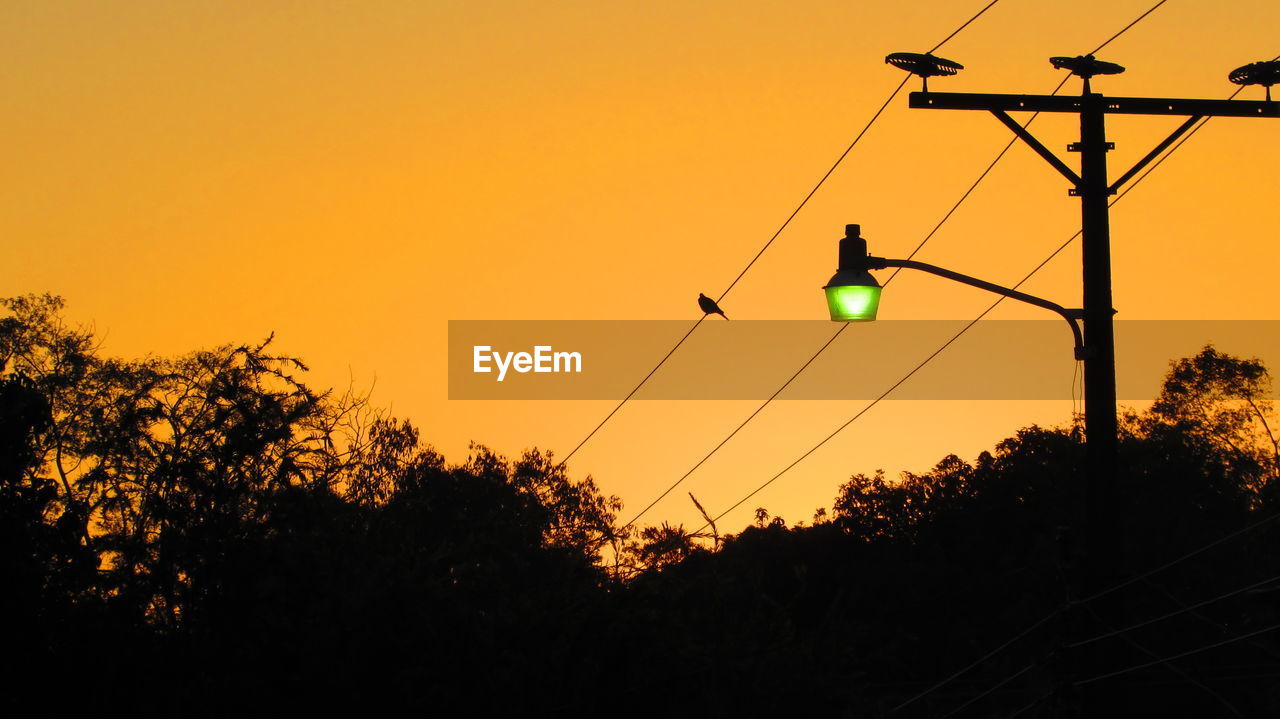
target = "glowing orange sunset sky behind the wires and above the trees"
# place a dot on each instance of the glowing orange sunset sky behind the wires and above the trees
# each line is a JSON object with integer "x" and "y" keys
{"x": 354, "y": 175}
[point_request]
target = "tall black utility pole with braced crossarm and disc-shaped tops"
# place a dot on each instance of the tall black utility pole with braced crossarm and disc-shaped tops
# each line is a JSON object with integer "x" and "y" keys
{"x": 1094, "y": 187}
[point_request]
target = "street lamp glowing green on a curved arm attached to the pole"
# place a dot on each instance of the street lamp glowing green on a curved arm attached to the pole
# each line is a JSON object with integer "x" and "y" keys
{"x": 853, "y": 294}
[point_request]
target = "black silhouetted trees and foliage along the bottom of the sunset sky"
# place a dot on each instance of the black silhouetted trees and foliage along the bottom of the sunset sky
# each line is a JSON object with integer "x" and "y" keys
{"x": 207, "y": 535}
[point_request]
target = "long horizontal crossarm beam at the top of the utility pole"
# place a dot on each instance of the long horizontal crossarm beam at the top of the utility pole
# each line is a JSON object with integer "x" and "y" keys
{"x": 1110, "y": 106}
